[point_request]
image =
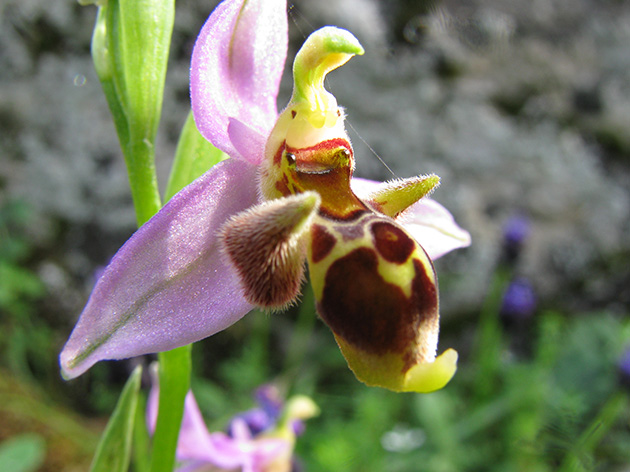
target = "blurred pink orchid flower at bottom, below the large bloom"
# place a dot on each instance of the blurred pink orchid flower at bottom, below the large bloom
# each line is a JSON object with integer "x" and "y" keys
{"x": 243, "y": 448}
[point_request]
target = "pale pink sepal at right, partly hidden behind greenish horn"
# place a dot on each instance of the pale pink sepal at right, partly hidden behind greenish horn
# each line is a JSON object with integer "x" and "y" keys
{"x": 427, "y": 221}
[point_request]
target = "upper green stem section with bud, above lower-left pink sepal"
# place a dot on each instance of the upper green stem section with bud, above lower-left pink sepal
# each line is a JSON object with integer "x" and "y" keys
{"x": 130, "y": 46}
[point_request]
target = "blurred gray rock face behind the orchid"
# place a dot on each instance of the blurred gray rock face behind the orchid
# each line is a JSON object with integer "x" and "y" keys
{"x": 517, "y": 107}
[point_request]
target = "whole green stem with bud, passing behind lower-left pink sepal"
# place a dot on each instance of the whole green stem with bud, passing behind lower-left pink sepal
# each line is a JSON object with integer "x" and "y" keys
{"x": 130, "y": 49}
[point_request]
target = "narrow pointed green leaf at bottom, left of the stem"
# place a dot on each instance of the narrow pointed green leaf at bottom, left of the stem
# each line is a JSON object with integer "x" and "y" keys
{"x": 114, "y": 449}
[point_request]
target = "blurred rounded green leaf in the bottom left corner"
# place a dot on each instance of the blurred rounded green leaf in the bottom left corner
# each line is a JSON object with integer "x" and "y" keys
{"x": 24, "y": 453}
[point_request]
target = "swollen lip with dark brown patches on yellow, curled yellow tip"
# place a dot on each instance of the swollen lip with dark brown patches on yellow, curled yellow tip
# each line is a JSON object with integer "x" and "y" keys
{"x": 376, "y": 289}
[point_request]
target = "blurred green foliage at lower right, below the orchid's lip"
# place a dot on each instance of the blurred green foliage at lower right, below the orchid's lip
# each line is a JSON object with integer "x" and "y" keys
{"x": 560, "y": 406}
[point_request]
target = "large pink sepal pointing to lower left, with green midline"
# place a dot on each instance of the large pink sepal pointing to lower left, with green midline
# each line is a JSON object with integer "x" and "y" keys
{"x": 168, "y": 285}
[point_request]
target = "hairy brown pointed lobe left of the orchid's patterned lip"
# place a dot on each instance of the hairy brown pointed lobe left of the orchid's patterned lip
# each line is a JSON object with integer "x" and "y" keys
{"x": 267, "y": 246}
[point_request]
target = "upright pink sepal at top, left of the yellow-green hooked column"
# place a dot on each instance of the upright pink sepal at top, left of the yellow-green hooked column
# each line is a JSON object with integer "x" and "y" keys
{"x": 235, "y": 72}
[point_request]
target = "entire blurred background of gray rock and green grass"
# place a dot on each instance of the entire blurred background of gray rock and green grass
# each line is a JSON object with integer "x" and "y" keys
{"x": 523, "y": 110}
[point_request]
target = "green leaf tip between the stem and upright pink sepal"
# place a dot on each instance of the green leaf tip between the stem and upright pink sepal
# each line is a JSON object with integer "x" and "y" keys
{"x": 193, "y": 157}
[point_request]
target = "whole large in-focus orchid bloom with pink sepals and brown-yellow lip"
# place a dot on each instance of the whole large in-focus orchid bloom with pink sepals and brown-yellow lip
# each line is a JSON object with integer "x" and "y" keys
{"x": 239, "y": 236}
